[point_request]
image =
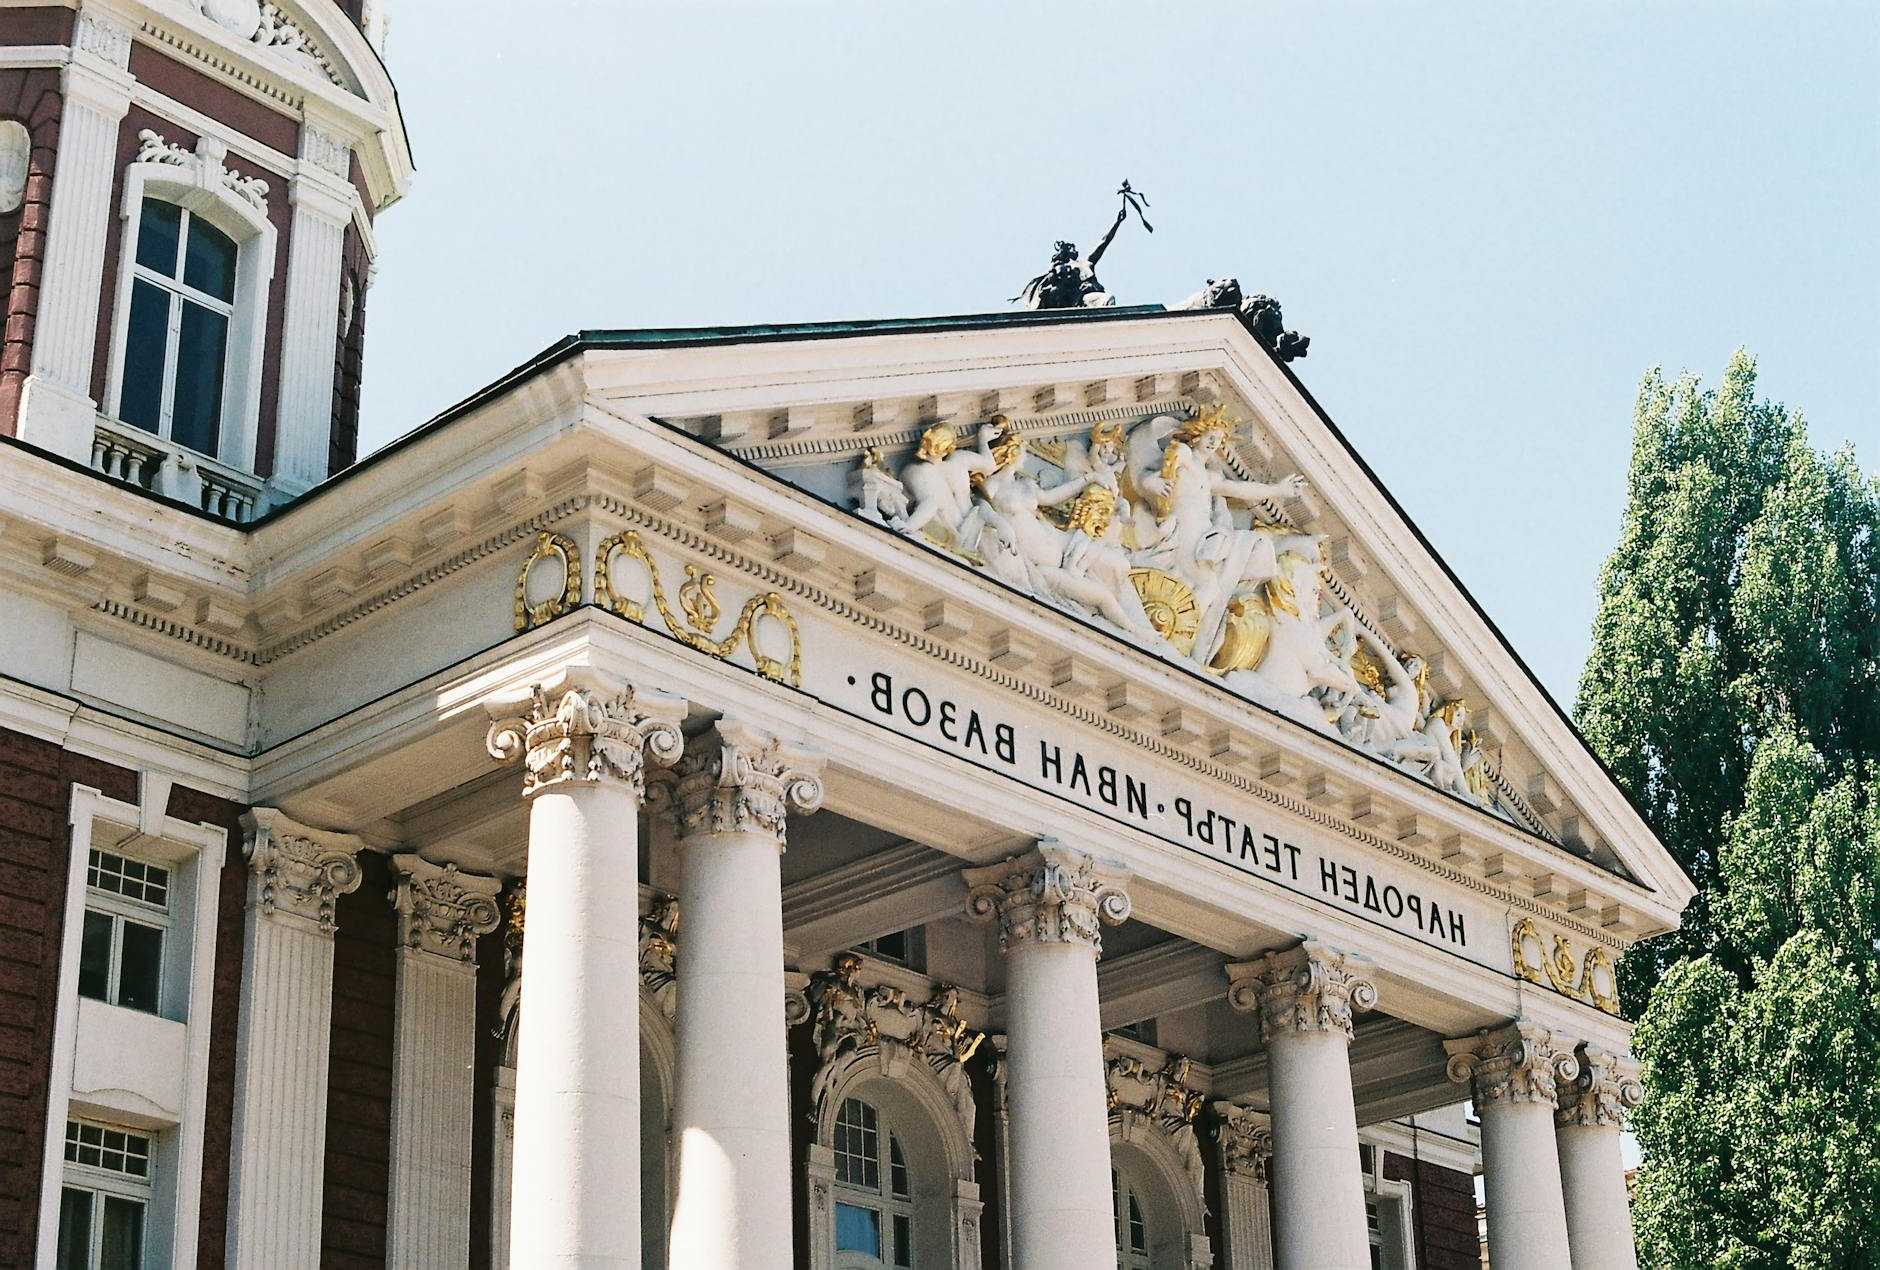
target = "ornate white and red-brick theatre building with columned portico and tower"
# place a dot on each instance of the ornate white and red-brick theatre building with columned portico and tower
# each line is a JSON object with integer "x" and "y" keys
{"x": 969, "y": 792}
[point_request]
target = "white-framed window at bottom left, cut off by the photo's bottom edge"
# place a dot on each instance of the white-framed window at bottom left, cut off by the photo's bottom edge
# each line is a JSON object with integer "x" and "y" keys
{"x": 106, "y": 1198}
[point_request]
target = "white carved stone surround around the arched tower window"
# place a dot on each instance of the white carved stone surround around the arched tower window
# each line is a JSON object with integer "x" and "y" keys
{"x": 200, "y": 185}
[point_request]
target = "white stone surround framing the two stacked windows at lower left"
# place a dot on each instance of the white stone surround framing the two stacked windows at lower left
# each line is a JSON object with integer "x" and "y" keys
{"x": 196, "y": 852}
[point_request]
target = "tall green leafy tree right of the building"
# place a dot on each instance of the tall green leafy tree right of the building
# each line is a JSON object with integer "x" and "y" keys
{"x": 1734, "y": 689}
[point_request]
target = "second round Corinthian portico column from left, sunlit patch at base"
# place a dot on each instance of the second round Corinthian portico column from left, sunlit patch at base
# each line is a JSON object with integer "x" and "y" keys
{"x": 734, "y": 794}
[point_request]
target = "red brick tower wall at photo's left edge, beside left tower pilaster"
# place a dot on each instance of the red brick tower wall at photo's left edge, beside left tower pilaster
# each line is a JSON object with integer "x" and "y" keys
{"x": 33, "y": 99}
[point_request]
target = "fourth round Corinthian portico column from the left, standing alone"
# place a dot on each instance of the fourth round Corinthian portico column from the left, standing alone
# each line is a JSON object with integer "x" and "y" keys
{"x": 1306, "y": 999}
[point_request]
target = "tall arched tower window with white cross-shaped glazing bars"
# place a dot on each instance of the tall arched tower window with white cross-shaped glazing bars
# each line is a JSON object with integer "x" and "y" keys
{"x": 176, "y": 345}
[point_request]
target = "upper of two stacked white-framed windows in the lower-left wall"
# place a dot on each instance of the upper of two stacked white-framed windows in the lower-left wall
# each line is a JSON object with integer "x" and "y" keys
{"x": 127, "y": 923}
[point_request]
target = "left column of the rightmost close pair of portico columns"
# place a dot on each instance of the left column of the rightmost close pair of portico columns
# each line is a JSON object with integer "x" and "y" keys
{"x": 1514, "y": 1074}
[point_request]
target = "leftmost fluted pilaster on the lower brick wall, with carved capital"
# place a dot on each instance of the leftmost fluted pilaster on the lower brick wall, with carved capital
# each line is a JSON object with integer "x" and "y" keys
{"x": 283, "y": 1044}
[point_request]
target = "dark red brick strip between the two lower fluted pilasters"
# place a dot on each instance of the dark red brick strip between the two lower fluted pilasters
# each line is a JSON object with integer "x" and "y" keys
{"x": 360, "y": 1076}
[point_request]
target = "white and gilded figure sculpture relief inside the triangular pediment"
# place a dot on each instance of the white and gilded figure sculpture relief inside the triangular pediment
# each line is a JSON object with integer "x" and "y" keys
{"x": 1148, "y": 531}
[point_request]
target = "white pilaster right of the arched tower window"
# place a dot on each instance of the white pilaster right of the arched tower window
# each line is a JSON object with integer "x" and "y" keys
{"x": 311, "y": 320}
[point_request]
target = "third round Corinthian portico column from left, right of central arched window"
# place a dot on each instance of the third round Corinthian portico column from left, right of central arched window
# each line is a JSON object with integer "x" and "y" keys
{"x": 1048, "y": 906}
